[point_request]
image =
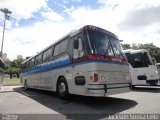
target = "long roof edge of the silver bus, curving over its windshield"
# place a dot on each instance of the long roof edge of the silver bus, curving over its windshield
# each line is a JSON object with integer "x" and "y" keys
{"x": 73, "y": 33}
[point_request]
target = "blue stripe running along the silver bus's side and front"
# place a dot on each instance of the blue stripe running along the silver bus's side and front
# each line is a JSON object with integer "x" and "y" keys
{"x": 63, "y": 64}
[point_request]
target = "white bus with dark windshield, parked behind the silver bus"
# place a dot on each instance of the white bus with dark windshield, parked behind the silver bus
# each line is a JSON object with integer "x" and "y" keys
{"x": 143, "y": 70}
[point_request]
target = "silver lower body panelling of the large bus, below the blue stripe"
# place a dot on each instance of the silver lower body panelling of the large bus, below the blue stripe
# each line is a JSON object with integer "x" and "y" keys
{"x": 48, "y": 80}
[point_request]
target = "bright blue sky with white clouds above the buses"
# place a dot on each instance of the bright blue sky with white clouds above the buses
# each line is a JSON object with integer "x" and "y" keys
{"x": 35, "y": 24}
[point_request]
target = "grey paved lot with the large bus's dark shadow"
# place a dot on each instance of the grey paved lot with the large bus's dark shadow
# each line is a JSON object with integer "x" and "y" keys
{"x": 14, "y": 100}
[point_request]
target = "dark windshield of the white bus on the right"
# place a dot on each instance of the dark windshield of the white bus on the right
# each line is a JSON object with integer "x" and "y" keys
{"x": 138, "y": 60}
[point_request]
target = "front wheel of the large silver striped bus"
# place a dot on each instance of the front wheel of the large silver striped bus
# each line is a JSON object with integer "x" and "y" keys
{"x": 62, "y": 88}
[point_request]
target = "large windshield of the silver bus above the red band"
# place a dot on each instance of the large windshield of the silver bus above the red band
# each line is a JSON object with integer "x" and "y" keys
{"x": 104, "y": 44}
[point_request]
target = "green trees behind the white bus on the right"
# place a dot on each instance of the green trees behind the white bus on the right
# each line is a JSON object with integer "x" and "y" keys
{"x": 154, "y": 50}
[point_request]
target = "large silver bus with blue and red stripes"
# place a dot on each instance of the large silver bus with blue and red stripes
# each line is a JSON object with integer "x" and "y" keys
{"x": 88, "y": 61}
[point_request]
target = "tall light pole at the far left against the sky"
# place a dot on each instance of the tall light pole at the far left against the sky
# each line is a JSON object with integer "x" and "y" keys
{"x": 6, "y": 17}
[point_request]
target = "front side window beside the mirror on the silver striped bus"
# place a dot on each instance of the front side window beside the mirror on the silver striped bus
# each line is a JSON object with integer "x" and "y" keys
{"x": 78, "y": 49}
